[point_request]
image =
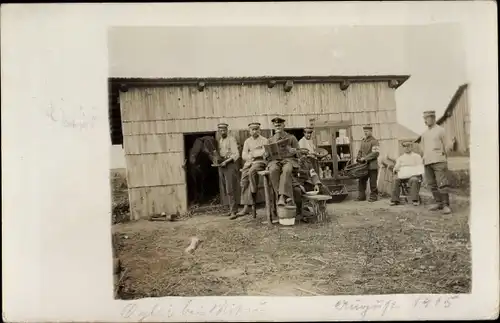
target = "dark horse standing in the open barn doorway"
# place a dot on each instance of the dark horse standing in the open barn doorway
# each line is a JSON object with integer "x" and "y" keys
{"x": 201, "y": 156}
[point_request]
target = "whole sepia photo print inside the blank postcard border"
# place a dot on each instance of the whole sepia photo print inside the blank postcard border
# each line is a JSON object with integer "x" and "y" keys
{"x": 289, "y": 161}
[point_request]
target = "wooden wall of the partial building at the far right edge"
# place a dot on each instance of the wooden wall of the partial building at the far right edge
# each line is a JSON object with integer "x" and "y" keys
{"x": 457, "y": 124}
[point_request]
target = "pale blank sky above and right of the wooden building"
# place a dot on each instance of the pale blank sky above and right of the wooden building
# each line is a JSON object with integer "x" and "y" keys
{"x": 433, "y": 56}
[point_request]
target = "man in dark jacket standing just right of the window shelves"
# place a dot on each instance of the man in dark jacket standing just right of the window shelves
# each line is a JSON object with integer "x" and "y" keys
{"x": 368, "y": 153}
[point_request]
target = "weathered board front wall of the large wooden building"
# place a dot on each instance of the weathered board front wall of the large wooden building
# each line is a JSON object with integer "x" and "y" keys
{"x": 154, "y": 120}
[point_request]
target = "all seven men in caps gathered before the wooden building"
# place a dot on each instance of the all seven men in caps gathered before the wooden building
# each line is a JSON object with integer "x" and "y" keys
{"x": 284, "y": 171}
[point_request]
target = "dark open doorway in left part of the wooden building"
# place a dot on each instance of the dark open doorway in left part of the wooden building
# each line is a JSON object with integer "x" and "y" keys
{"x": 202, "y": 179}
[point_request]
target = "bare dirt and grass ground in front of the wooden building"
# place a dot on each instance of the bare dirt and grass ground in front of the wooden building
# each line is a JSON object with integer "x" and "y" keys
{"x": 364, "y": 248}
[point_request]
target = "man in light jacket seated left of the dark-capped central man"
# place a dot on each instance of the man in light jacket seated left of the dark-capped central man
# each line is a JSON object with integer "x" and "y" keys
{"x": 253, "y": 155}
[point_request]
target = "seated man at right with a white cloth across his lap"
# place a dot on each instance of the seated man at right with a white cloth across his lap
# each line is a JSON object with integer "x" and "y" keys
{"x": 409, "y": 167}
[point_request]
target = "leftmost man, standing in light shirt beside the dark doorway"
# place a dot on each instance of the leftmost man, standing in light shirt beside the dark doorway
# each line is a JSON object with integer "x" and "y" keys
{"x": 228, "y": 150}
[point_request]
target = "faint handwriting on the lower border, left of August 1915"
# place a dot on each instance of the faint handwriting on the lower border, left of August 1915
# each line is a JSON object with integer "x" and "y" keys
{"x": 190, "y": 308}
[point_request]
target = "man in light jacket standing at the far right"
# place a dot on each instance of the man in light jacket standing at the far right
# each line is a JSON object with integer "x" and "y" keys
{"x": 435, "y": 144}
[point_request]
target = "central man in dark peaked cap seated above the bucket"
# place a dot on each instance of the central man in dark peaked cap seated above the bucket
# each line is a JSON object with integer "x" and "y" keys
{"x": 281, "y": 170}
